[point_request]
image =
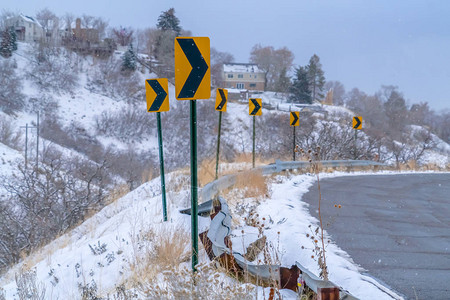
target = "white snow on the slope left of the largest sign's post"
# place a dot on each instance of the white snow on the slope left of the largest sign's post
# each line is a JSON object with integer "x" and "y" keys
{"x": 101, "y": 249}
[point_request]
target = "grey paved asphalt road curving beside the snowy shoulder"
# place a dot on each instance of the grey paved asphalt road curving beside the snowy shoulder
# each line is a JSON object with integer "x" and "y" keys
{"x": 397, "y": 227}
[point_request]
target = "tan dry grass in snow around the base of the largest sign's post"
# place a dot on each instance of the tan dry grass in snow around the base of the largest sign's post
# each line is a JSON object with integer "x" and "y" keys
{"x": 159, "y": 269}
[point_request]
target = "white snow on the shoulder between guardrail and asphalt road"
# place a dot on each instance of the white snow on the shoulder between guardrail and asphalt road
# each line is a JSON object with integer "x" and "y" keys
{"x": 287, "y": 221}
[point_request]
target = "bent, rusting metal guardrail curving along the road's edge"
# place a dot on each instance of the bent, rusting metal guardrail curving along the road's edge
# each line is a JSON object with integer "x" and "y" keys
{"x": 220, "y": 226}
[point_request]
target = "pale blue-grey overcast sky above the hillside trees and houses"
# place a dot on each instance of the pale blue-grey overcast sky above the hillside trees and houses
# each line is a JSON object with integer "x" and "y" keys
{"x": 363, "y": 44}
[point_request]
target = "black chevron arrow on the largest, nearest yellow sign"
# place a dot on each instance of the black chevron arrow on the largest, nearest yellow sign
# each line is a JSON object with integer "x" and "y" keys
{"x": 199, "y": 68}
